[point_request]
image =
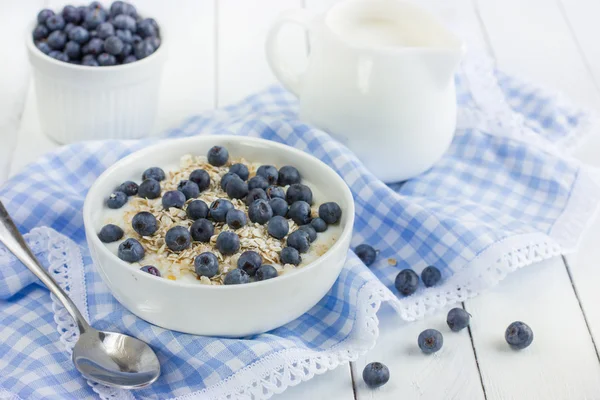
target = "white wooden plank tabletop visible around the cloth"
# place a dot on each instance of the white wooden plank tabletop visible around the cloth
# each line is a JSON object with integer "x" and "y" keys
{"x": 218, "y": 59}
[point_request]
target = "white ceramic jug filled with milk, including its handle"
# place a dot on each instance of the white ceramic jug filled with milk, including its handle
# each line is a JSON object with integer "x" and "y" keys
{"x": 379, "y": 78}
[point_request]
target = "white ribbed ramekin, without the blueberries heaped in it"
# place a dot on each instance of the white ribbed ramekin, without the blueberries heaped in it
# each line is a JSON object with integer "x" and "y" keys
{"x": 87, "y": 103}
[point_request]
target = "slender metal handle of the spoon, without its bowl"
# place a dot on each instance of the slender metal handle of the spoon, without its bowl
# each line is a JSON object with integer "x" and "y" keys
{"x": 12, "y": 239}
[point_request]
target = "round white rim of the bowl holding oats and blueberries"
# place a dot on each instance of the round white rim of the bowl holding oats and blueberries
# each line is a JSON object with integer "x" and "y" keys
{"x": 348, "y": 215}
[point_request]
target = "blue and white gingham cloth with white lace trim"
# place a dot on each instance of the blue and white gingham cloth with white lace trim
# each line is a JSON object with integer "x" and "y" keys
{"x": 504, "y": 195}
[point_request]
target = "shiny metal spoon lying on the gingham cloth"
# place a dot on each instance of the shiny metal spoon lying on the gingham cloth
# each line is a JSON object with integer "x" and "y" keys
{"x": 109, "y": 358}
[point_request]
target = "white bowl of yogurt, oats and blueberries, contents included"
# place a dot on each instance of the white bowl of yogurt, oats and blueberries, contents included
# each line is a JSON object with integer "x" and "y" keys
{"x": 219, "y": 235}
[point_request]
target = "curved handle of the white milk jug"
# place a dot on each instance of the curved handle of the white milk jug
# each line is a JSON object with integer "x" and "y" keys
{"x": 290, "y": 79}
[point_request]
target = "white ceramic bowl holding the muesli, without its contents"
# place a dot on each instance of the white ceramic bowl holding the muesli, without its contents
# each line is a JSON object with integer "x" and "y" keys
{"x": 230, "y": 311}
